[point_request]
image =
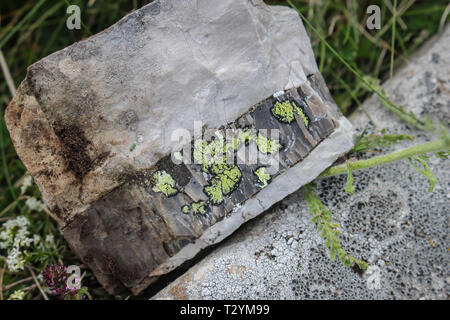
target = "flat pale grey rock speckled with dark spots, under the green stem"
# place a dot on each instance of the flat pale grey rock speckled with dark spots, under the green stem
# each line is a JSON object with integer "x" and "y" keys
{"x": 392, "y": 221}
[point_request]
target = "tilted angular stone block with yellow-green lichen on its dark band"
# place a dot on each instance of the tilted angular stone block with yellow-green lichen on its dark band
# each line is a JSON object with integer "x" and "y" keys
{"x": 93, "y": 124}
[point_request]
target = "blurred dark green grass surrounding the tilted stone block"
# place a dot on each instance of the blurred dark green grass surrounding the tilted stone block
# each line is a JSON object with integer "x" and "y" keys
{"x": 31, "y": 30}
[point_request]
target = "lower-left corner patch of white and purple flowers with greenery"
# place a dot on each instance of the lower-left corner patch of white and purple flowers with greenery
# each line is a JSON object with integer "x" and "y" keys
{"x": 33, "y": 252}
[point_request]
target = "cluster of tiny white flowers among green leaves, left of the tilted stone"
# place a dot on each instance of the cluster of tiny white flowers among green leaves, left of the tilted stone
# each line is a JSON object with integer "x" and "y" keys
{"x": 29, "y": 239}
